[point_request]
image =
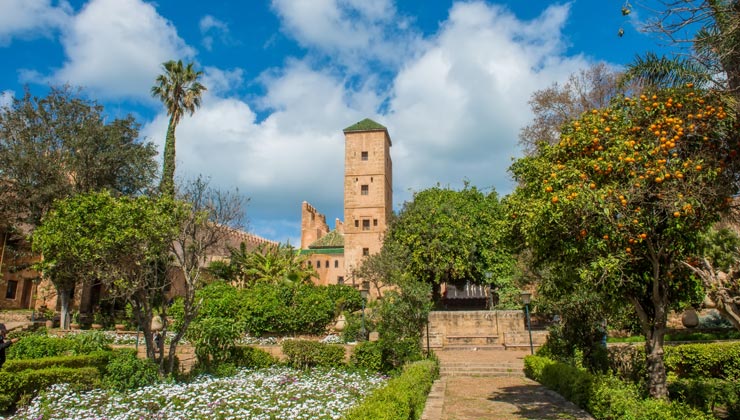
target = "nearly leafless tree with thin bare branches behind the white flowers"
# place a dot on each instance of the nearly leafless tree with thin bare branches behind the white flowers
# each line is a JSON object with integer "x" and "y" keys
{"x": 211, "y": 217}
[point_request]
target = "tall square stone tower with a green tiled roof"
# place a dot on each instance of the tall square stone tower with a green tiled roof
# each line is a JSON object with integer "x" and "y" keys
{"x": 368, "y": 191}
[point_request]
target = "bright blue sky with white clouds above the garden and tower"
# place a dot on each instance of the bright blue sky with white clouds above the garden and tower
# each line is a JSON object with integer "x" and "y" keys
{"x": 450, "y": 80}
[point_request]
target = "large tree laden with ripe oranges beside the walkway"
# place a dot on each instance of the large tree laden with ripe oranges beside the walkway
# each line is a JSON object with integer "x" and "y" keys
{"x": 623, "y": 197}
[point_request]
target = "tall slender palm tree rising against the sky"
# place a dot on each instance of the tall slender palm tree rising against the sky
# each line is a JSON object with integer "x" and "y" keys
{"x": 178, "y": 88}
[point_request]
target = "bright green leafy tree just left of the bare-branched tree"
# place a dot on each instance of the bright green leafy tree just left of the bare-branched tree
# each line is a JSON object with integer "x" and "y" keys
{"x": 96, "y": 236}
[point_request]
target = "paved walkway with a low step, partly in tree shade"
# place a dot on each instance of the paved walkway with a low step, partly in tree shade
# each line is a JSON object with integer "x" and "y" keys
{"x": 469, "y": 397}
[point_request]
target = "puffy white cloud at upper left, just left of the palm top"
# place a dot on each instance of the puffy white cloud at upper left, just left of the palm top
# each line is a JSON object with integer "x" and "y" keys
{"x": 115, "y": 48}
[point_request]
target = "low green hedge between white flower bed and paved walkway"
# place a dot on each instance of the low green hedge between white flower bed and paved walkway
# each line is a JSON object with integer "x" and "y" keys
{"x": 402, "y": 398}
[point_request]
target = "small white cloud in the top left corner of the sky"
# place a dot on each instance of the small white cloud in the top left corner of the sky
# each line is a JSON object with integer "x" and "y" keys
{"x": 30, "y": 18}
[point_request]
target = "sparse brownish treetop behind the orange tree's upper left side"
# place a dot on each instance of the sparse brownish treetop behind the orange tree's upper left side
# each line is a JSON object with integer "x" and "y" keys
{"x": 556, "y": 105}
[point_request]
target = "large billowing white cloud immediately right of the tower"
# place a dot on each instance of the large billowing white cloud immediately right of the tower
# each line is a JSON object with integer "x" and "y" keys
{"x": 456, "y": 111}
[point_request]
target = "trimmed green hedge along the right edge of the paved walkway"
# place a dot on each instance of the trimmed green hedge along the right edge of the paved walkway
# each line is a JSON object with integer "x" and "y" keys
{"x": 605, "y": 397}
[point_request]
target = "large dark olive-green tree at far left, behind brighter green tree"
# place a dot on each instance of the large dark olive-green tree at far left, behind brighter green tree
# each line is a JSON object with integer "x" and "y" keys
{"x": 60, "y": 145}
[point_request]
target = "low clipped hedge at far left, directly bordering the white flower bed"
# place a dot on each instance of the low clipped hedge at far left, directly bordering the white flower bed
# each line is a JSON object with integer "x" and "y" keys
{"x": 25, "y": 384}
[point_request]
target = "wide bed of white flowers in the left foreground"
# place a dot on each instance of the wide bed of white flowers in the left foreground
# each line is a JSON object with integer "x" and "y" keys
{"x": 273, "y": 393}
